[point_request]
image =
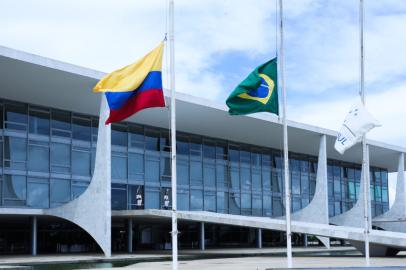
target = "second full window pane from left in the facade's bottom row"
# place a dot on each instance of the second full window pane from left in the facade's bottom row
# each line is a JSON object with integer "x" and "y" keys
{"x": 38, "y": 194}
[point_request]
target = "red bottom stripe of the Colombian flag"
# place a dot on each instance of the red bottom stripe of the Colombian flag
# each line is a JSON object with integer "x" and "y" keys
{"x": 143, "y": 100}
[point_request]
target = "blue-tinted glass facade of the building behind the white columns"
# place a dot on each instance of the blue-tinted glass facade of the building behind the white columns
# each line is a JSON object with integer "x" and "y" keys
{"x": 47, "y": 159}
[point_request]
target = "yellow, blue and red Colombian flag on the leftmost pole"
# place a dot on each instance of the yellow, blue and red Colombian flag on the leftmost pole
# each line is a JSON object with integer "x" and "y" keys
{"x": 134, "y": 87}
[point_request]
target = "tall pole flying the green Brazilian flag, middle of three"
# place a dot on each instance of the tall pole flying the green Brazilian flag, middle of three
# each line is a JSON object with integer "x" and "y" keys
{"x": 285, "y": 142}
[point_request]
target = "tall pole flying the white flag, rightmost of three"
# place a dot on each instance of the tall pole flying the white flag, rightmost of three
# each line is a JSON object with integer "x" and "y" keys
{"x": 365, "y": 152}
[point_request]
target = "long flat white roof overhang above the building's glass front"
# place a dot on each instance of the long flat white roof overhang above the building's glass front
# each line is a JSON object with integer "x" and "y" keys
{"x": 42, "y": 81}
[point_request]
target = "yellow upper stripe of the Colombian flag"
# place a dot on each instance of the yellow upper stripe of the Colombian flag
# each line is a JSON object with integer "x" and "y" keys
{"x": 131, "y": 77}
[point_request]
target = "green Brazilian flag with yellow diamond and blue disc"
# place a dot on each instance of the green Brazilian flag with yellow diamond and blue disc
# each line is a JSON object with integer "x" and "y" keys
{"x": 257, "y": 93}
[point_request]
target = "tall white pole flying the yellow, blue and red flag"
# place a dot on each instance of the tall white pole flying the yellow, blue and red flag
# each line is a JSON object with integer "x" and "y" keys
{"x": 173, "y": 136}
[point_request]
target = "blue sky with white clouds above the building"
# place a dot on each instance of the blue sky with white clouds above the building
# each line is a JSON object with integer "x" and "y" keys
{"x": 218, "y": 42}
